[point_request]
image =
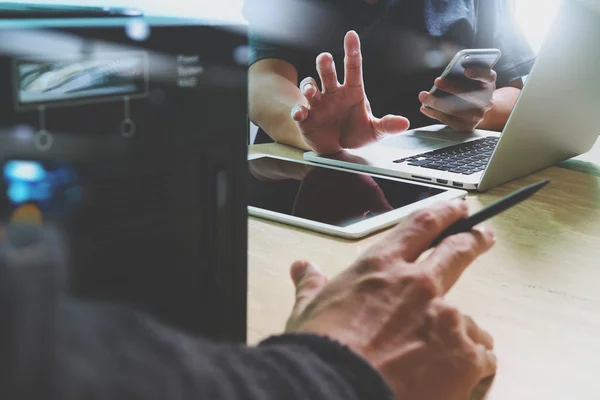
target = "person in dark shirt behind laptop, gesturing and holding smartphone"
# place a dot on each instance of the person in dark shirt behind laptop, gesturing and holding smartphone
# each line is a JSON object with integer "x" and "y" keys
{"x": 407, "y": 45}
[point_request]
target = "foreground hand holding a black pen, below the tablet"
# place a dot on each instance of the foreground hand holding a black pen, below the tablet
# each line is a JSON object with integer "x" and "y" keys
{"x": 388, "y": 308}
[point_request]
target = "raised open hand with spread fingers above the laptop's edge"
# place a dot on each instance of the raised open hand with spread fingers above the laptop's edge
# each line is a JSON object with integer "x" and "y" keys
{"x": 339, "y": 116}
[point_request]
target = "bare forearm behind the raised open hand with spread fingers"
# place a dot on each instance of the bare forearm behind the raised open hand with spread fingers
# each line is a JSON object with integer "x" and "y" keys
{"x": 271, "y": 99}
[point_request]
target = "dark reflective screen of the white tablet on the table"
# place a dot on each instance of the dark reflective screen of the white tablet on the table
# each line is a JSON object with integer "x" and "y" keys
{"x": 326, "y": 195}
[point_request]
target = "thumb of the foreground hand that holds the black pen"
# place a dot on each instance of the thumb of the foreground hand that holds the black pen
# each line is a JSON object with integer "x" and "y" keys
{"x": 308, "y": 280}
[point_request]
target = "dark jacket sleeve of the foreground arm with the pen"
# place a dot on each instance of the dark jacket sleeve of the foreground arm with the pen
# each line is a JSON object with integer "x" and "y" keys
{"x": 53, "y": 346}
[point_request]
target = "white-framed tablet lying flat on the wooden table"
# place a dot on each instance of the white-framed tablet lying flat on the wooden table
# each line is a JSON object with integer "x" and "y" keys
{"x": 334, "y": 201}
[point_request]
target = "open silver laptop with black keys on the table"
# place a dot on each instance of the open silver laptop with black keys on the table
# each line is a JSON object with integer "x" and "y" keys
{"x": 556, "y": 117}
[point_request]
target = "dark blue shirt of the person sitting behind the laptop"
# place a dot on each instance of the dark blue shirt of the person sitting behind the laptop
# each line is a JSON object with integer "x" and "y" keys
{"x": 406, "y": 44}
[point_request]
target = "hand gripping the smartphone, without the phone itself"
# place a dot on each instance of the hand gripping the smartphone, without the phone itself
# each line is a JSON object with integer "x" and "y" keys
{"x": 466, "y": 109}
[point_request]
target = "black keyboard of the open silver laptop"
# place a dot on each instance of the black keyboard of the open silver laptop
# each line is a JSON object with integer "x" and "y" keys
{"x": 464, "y": 158}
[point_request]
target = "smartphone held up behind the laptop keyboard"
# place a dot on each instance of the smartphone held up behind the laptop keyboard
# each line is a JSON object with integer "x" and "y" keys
{"x": 468, "y": 58}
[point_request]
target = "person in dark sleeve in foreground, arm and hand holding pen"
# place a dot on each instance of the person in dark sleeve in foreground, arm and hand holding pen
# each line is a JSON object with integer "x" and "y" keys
{"x": 379, "y": 330}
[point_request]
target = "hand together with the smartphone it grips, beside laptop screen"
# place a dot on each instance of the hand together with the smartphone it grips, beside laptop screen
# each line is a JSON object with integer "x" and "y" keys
{"x": 462, "y": 95}
